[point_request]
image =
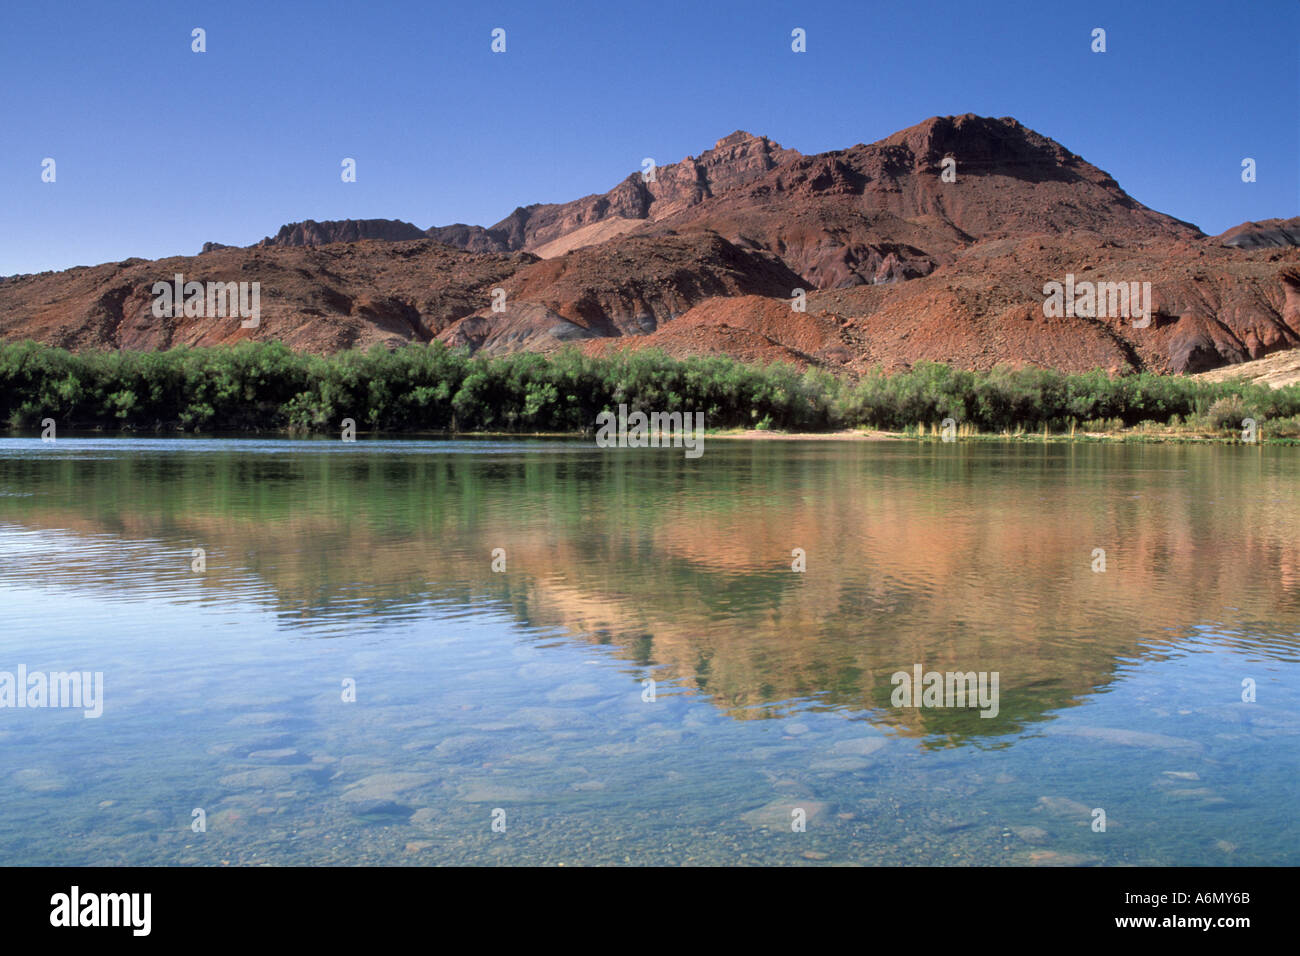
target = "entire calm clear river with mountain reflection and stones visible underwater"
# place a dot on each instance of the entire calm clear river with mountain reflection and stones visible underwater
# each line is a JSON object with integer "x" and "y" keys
{"x": 523, "y": 690}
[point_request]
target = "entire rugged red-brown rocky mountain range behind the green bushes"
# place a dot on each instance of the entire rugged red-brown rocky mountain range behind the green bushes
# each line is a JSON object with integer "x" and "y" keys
{"x": 899, "y": 265}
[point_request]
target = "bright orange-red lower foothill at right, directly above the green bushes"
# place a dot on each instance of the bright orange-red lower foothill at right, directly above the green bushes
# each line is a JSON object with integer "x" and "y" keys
{"x": 1211, "y": 308}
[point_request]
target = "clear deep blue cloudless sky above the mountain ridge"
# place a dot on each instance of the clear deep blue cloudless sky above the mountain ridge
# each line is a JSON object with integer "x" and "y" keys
{"x": 161, "y": 149}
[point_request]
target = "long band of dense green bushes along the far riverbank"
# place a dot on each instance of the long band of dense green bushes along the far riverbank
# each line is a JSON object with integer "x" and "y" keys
{"x": 430, "y": 388}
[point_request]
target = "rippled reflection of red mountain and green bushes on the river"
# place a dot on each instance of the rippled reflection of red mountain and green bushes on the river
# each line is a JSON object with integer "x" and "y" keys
{"x": 957, "y": 559}
